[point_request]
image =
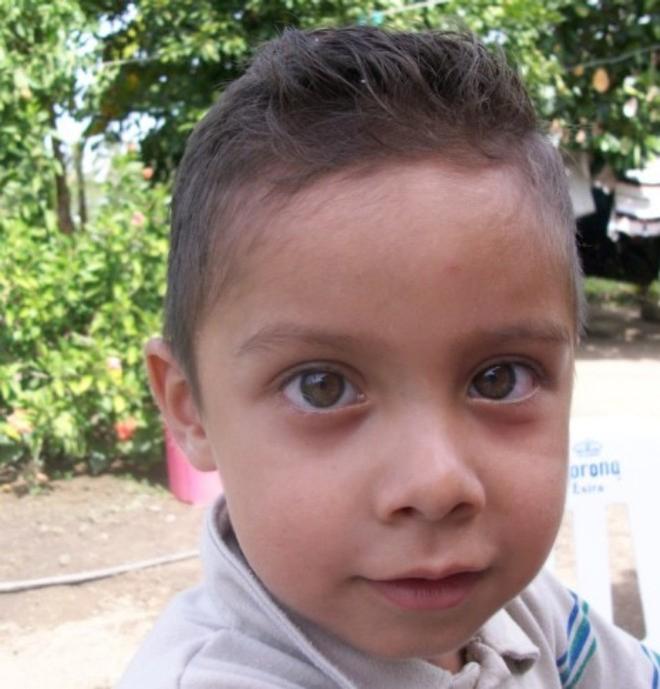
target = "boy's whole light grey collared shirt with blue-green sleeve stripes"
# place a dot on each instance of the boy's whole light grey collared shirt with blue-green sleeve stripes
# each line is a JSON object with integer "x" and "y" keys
{"x": 229, "y": 633}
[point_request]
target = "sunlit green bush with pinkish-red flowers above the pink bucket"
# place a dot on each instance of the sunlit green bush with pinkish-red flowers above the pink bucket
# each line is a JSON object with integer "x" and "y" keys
{"x": 75, "y": 311}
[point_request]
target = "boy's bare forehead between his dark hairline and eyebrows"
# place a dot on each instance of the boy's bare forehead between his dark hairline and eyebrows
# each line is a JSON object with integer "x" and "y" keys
{"x": 390, "y": 241}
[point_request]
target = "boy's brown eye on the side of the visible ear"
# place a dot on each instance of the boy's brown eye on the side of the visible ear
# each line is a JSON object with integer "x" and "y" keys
{"x": 320, "y": 390}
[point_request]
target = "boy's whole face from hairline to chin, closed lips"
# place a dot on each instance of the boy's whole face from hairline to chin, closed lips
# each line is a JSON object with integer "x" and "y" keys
{"x": 386, "y": 392}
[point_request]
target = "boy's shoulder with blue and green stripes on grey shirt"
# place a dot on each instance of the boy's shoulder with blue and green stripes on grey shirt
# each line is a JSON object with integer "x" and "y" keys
{"x": 588, "y": 651}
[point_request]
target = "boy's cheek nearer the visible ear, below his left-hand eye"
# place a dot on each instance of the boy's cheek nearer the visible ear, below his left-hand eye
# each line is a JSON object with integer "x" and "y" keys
{"x": 286, "y": 482}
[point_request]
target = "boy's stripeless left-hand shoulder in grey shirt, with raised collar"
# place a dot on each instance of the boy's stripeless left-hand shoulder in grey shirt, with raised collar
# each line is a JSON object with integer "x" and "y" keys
{"x": 227, "y": 632}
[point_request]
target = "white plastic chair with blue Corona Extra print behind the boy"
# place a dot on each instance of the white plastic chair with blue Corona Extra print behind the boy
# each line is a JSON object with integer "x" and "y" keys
{"x": 616, "y": 460}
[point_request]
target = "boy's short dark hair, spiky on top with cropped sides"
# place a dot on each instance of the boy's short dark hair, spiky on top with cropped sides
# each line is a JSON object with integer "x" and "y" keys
{"x": 317, "y": 102}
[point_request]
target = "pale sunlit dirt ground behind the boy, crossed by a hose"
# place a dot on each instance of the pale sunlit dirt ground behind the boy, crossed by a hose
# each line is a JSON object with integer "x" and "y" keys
{"x": 81, "y": 636}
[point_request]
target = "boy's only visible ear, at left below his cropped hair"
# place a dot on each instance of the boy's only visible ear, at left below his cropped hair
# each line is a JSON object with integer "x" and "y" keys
{"x": 174, "y": 396}
